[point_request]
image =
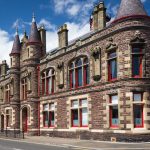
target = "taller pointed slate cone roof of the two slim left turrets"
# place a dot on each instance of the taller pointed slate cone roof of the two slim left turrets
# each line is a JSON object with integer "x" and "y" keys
{"x": 34, "y": 34}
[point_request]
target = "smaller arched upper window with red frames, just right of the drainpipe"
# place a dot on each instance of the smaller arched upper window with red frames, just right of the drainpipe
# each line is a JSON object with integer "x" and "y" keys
{"x": 48, "y": 82}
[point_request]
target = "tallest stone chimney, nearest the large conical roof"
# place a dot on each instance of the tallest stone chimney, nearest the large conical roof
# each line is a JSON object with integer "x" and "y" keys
{"x": 99, "y": 16}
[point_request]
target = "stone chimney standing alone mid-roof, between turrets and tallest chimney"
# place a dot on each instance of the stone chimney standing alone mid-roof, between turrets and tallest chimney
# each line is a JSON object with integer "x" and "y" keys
{"x": 63, "y": 36}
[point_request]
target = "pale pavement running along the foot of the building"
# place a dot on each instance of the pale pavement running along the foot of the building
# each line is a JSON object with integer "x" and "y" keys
{"x": 81, "y": 143}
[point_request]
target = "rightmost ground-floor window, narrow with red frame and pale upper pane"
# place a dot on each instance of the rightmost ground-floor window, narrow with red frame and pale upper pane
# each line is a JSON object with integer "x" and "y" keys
{"x": 138, "y": 109}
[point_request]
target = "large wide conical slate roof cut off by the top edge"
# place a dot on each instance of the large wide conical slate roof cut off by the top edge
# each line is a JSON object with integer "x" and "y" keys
{"x": 130, "y": 8}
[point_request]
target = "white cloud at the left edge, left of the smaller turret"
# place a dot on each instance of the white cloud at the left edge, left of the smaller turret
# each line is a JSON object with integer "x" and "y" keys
{"x": 5, "y": 45}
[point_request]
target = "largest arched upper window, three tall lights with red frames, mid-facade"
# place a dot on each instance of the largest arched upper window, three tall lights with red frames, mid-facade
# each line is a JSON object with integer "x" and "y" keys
{"x": 79, "y": 73}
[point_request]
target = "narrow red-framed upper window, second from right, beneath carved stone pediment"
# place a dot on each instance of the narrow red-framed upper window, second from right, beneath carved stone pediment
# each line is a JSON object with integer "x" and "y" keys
{"x": 112, "y": 66}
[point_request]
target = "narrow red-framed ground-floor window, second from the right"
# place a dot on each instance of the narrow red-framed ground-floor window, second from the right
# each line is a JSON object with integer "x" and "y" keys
{"x": 114, "y": 119}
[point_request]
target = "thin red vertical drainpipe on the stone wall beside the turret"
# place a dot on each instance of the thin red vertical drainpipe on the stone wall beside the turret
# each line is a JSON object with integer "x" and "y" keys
{"x": 38, "y": 71}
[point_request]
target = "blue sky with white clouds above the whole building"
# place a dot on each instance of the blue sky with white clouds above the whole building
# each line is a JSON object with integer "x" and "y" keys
{"x": 51, "y": 13}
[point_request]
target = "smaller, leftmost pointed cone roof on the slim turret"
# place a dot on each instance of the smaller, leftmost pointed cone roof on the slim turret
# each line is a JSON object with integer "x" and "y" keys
{"x": 16, "y": 45}
